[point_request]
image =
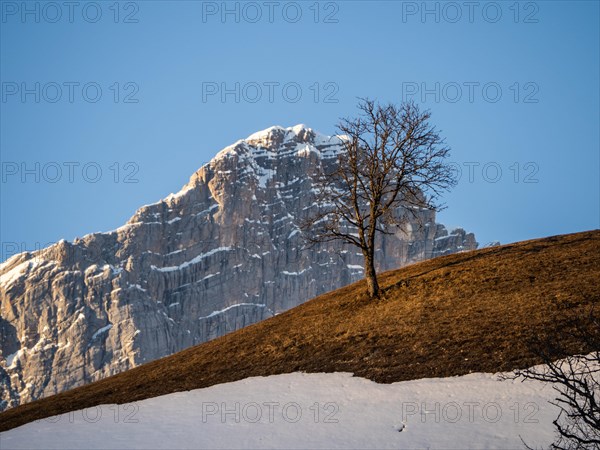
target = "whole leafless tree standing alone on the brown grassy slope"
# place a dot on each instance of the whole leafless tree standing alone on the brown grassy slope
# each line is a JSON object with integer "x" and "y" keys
{"x": 393, "y": 165}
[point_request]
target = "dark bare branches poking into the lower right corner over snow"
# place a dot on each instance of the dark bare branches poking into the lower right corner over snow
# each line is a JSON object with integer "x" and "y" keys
{"x": 576, "y": 380}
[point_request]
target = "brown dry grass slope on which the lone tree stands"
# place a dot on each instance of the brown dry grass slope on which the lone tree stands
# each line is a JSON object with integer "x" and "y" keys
{"x": 468, "y": 312}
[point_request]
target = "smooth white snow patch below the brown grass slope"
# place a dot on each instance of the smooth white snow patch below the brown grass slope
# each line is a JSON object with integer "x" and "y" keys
{"x": 300, "y": 410}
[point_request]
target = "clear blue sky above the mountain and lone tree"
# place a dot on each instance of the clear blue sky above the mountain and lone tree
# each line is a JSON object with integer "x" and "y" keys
{"x": 543, "y": 56}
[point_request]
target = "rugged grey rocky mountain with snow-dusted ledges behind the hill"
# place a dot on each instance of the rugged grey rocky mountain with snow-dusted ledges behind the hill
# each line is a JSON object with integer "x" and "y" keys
{"x": 223, "y": 253}
